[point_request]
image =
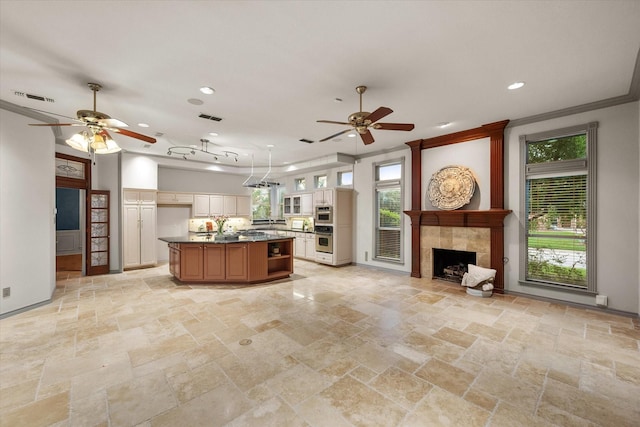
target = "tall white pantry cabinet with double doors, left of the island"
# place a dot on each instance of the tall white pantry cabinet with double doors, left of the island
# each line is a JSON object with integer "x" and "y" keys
{"x": 139, "y": 234}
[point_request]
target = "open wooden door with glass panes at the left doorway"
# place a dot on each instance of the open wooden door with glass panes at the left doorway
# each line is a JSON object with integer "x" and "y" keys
{"x": 98, "y": 227}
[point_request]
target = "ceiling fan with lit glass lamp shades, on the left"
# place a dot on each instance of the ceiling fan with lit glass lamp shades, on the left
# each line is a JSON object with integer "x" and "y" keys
{"x": 99, "y": 123}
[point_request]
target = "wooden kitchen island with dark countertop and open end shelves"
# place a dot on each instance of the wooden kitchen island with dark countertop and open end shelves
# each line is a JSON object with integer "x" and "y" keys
{"x": 238, "y": 259}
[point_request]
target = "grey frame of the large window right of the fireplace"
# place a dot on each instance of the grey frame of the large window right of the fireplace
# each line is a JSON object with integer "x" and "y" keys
{"x": 585, "y": 166}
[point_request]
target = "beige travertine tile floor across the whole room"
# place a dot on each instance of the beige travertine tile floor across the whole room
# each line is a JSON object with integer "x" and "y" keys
{"x": 349, "y": 346}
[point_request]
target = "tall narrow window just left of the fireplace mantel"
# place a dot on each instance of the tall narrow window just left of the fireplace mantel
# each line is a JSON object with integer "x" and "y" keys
{"x": 388, "y": 212}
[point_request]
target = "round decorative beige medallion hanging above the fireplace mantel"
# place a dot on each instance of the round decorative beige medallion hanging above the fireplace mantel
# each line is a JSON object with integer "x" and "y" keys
{"x": 451, "y": 187}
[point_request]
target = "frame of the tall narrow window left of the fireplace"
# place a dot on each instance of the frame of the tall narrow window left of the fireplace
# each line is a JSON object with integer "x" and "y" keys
{"x": 383, "y": 185}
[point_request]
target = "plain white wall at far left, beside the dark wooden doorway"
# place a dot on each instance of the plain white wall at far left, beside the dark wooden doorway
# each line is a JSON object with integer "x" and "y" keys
{"x": 27, "y": 203}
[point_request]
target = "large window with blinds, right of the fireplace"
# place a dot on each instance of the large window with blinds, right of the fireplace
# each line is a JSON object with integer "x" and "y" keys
{"x": 558, "y": 247}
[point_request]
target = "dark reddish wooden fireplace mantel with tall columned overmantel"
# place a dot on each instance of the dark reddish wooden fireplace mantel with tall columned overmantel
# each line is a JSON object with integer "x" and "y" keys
{"x": 492, "y": 218}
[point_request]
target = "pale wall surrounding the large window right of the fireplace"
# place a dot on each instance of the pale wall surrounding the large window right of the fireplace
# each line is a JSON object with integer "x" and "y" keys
{"x": 618, "y": 193}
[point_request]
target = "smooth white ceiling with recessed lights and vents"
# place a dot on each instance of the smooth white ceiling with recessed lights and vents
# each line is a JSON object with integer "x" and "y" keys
{"x": 278, "y": 66}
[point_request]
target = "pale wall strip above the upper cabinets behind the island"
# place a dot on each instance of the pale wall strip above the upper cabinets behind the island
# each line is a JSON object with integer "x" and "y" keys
{"x": 190, "y": 181}
